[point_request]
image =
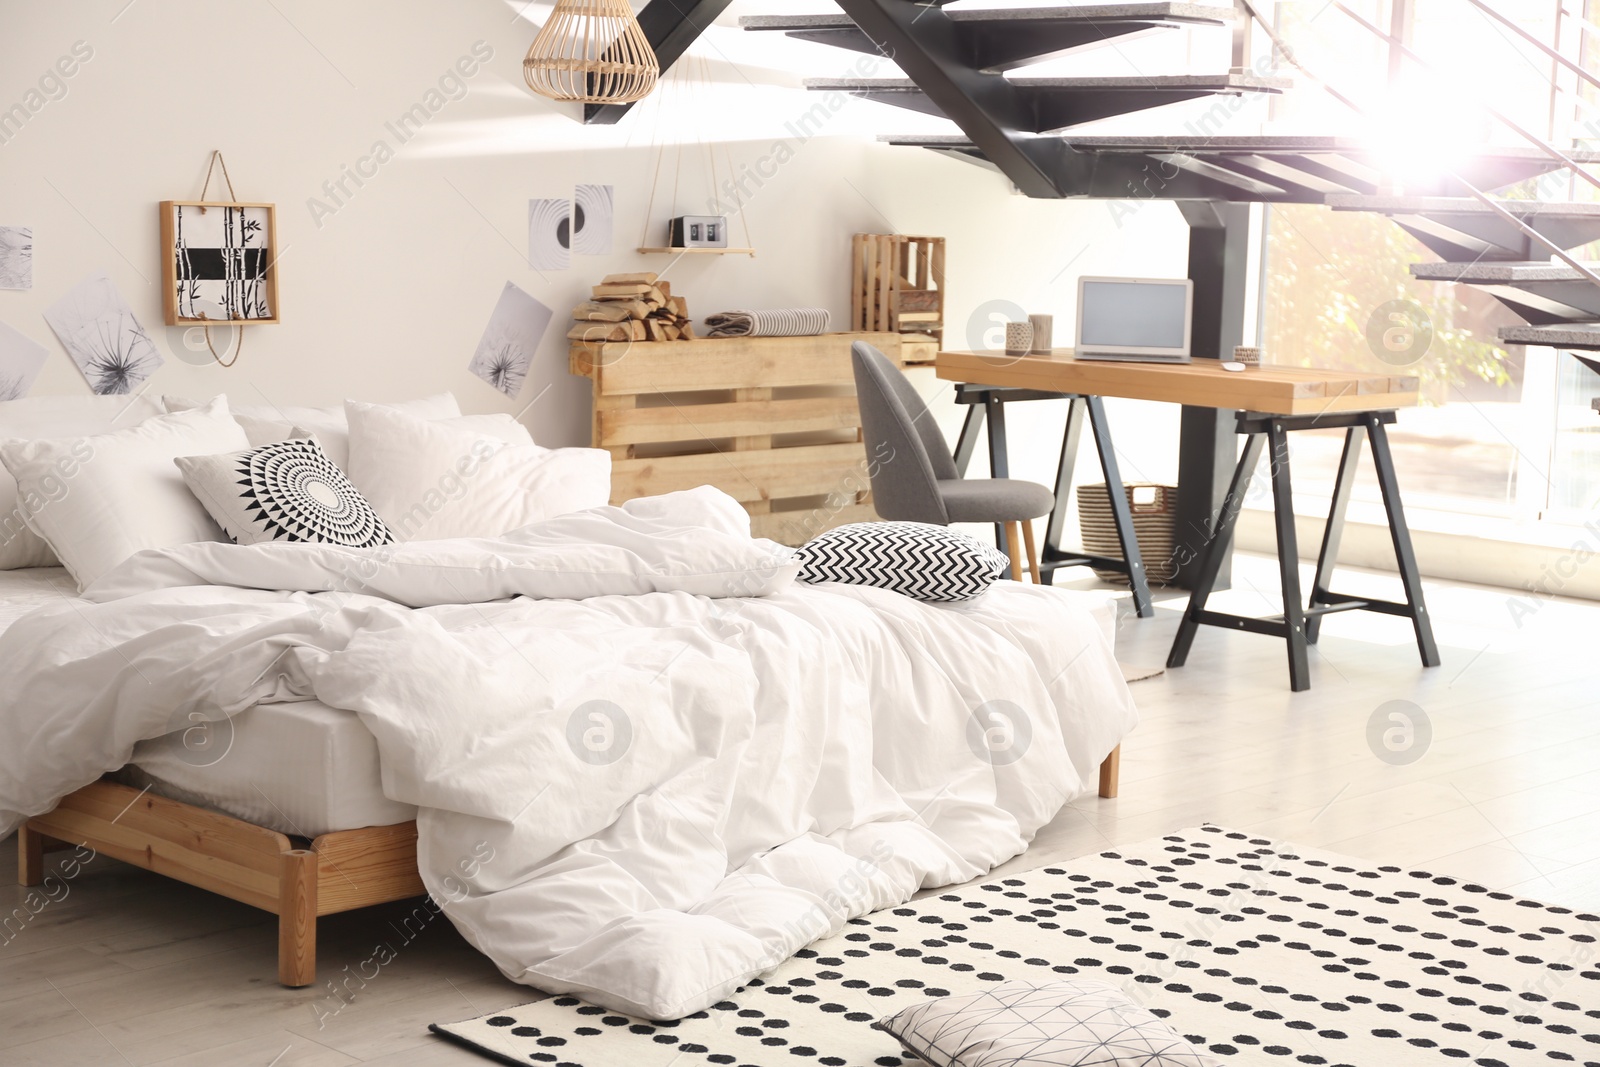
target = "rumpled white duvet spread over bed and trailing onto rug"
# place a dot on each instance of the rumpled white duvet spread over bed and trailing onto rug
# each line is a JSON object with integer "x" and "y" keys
{"x": 649, "y": 765}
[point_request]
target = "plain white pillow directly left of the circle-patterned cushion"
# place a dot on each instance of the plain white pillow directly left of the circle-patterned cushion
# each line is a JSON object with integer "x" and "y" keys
{"x": 105, "y": 498}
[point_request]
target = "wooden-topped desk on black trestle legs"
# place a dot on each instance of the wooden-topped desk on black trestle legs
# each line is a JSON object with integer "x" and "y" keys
{"x": 1273, "y": 402}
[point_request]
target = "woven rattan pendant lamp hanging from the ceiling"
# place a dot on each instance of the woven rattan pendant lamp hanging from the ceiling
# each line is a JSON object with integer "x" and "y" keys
{"x": 593, "y": 52}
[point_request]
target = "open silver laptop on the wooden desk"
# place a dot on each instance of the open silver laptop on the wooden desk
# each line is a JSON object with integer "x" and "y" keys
{"x": 1140, "y": 321}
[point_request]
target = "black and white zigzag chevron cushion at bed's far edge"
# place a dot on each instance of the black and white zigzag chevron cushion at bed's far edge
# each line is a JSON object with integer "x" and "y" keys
{"x": 914, "y": 559}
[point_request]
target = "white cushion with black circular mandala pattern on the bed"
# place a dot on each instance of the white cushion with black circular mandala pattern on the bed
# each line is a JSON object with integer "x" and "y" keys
{"x": 284, "y": 492}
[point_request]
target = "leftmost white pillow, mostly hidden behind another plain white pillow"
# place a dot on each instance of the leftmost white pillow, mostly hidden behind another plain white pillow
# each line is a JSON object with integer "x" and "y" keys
{"x": 52, "y": 418}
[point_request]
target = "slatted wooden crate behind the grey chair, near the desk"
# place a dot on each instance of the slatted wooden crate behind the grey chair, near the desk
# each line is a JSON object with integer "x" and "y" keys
{"x": 898, "y": 287}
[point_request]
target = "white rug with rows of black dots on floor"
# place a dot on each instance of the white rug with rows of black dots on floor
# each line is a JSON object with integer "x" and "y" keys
{"x": 1258, "y": 953}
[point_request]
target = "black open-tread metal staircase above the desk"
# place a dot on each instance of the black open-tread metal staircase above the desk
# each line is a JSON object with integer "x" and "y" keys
{"x": 956, "y": 65}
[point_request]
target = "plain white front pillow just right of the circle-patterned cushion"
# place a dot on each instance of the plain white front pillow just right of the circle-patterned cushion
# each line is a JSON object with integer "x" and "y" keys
{"x": 433, "y": 481}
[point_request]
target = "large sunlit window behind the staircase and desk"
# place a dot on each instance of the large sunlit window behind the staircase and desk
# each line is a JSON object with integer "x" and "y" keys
{"x": 1505, "y": 433}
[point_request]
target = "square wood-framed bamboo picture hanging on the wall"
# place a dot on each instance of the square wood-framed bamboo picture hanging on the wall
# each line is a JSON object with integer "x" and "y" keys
{"x": 220, "y": 263}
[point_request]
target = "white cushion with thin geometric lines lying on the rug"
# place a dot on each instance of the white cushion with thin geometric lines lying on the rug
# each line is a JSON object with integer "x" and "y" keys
{"x": 1022, "y": 1025}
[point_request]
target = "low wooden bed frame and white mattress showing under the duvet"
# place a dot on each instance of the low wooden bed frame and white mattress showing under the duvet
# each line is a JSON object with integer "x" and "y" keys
{"x": 282, "y": 809}
